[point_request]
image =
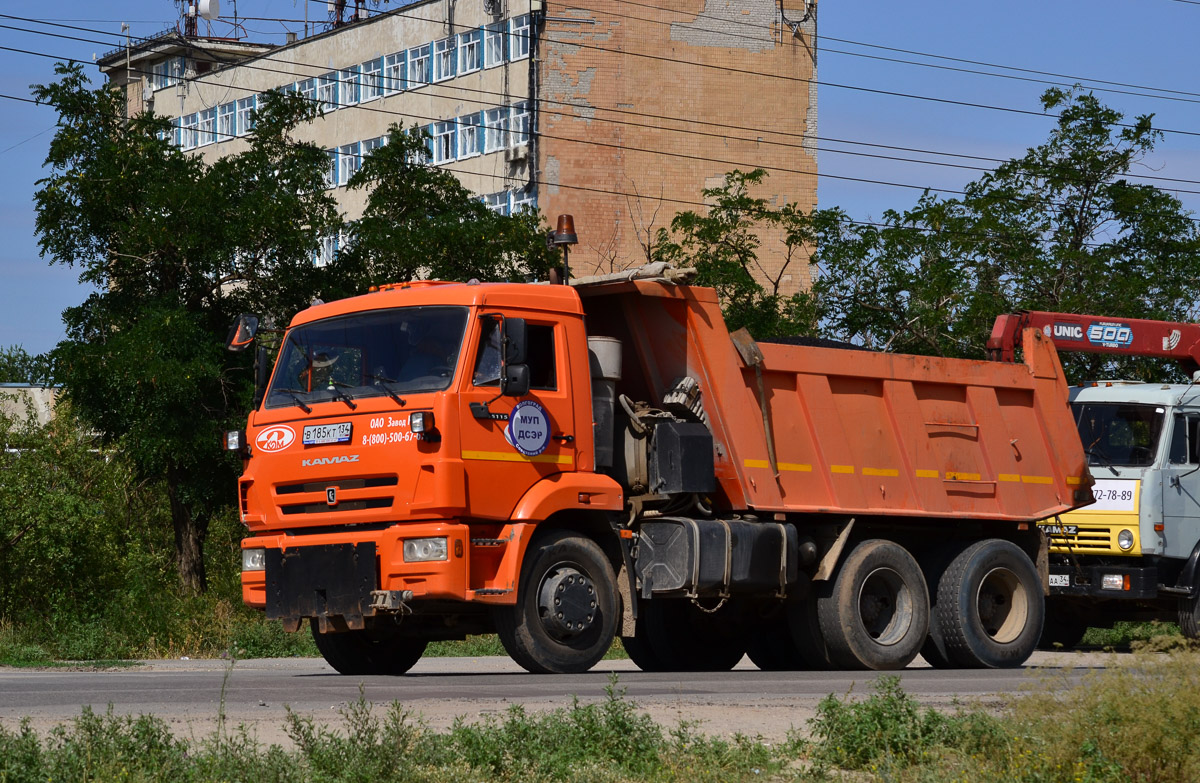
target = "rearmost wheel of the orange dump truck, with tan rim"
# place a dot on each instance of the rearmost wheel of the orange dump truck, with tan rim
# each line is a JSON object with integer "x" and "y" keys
{"x": 991, "y": 609}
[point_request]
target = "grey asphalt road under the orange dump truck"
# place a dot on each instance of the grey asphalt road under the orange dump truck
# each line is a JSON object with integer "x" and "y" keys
{"x": 257, "y": 694}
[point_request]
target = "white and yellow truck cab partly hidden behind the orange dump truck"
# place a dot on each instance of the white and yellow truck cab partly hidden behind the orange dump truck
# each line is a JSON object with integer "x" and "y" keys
{"x": 1132, "y": 555}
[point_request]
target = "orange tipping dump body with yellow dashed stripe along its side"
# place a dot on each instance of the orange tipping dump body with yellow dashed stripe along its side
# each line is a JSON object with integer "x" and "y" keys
{"x": 857, "y": 433}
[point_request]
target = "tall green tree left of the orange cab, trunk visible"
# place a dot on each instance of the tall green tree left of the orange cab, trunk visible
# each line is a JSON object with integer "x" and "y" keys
{"x": 175, "y": 250}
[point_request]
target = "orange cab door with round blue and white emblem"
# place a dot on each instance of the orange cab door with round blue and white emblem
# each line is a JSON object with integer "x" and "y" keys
{"x": 511, "y": 444}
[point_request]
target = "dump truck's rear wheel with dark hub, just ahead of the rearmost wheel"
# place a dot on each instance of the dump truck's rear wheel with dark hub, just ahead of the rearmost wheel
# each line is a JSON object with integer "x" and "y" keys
{"x": 875, "y": 615}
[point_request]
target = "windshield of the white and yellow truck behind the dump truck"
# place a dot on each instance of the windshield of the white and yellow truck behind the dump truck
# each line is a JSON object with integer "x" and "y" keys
{"x": 1124, "y": 435}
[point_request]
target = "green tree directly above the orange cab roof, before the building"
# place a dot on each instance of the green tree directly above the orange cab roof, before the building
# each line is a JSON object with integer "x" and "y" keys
{"x": 422, "y": 223}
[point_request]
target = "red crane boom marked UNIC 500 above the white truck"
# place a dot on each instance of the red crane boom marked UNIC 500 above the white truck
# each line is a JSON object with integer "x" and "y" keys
{"x": 1100, "y": 334}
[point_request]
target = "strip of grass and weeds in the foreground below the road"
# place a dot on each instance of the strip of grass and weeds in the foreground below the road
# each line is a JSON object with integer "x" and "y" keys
{"x": 1136, "y": 722}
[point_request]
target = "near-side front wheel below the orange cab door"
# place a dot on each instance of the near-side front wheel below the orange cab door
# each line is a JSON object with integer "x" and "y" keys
{"x": 567, "y": 611}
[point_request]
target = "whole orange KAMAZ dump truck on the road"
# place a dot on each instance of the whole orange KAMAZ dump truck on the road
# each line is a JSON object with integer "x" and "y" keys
{"x": 565, "y": 465}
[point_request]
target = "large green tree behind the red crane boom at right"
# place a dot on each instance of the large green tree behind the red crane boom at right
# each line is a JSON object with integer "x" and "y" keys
{"x": 1061, "y": 229}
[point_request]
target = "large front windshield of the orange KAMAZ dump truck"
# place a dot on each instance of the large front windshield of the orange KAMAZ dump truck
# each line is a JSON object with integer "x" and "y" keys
{"x": 376, "y": 354}
